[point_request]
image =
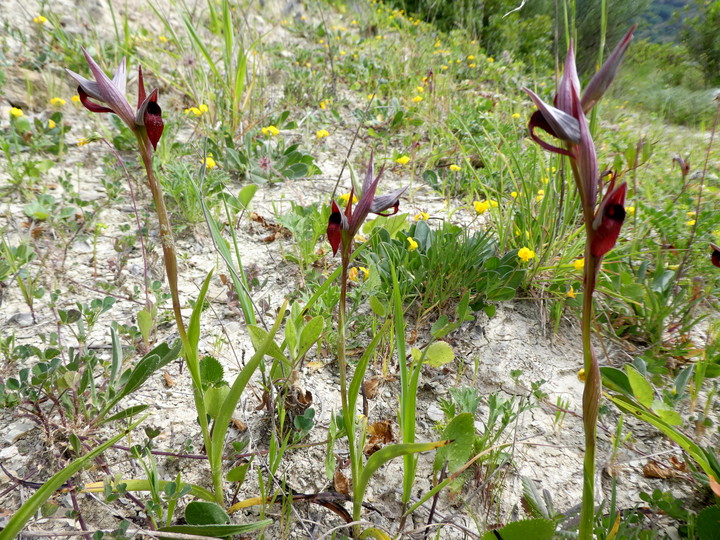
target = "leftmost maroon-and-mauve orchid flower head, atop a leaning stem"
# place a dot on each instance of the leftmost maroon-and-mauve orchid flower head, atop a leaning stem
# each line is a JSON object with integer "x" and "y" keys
{"x": 146, "y": 121}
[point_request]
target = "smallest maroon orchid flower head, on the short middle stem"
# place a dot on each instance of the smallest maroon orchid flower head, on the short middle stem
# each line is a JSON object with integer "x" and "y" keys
{"x": 343, "y": 226}
